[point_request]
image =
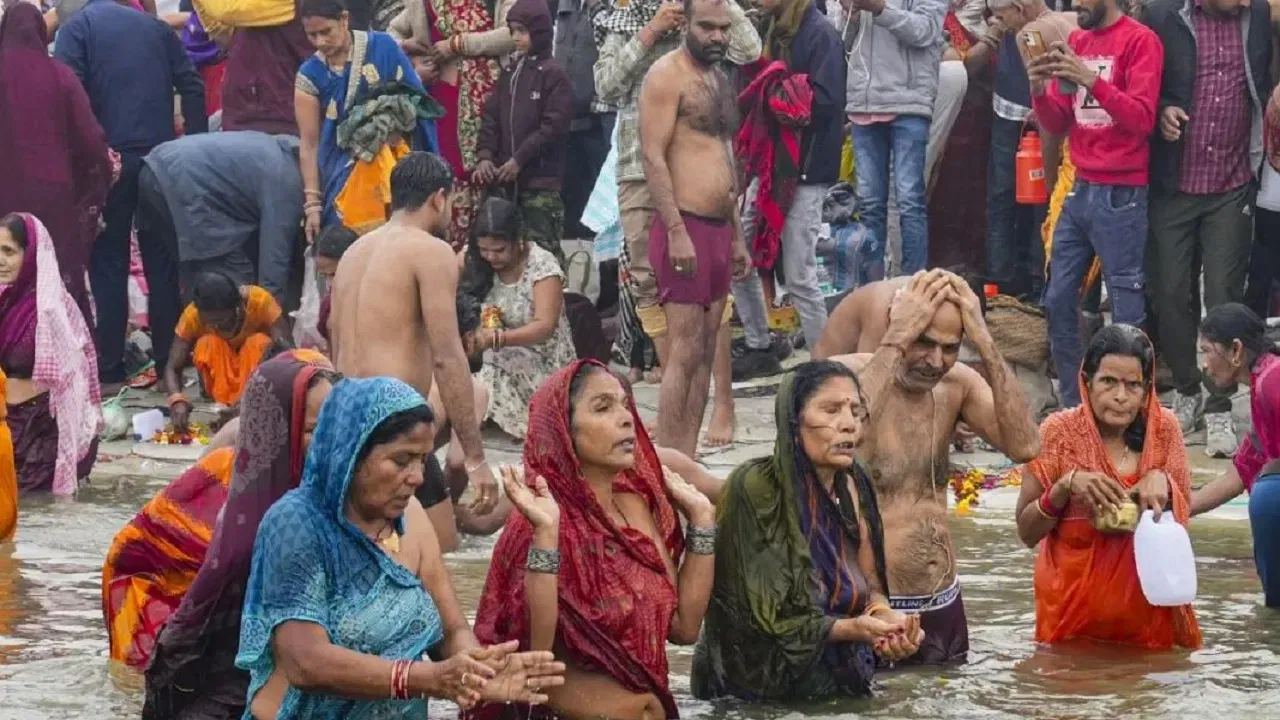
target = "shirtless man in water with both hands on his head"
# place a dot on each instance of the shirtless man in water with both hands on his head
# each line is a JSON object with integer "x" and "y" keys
{"x": 917, "y": 395}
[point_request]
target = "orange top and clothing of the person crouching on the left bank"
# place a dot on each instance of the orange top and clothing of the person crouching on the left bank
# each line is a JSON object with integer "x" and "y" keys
{"x": 226, "y": 364}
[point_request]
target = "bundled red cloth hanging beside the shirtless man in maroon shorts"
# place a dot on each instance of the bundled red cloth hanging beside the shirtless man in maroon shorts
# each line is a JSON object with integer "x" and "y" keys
{"x": 776, "y": 107}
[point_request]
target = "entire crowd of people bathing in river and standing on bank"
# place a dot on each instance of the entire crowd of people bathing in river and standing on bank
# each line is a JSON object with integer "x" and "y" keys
{"x": 401, "y": 204}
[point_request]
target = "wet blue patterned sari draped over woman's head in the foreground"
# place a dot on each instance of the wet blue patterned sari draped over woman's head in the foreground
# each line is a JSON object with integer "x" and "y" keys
{"x": 313, "y": 566}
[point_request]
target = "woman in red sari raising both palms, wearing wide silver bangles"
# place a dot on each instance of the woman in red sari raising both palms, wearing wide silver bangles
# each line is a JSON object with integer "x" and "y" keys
{"x": 596, "y": 566}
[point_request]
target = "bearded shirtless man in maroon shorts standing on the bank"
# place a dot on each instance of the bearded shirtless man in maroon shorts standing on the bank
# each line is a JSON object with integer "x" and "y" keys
{"x": 688, "y": 120}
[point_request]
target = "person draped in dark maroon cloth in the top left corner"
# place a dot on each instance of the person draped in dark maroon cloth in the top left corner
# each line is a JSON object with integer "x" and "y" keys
{"x": 57, "y": 163}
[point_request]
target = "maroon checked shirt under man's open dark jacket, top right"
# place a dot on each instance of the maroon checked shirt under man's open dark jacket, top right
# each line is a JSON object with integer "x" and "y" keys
{"x": 1217, "y": 148}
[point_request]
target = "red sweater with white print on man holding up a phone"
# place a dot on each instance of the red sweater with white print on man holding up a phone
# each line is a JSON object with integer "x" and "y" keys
{"x": 1112, "y": 125}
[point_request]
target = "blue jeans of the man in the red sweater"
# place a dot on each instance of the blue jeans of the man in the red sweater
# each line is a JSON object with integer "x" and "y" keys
{"x": 1110, "y": 222}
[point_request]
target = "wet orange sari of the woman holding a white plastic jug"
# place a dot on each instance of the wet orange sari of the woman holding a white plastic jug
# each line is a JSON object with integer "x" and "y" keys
{"x": 1087, "y": 582}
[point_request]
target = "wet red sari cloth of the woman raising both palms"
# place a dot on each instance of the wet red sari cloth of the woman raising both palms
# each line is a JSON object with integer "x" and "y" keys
{"x": 616, "y": 599}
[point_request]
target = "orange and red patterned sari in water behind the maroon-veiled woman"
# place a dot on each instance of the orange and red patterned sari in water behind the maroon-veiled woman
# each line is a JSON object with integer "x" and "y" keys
{"x": 154, "y": 560}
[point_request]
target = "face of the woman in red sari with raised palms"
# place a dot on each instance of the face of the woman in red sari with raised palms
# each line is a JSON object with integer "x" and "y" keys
{"x": 605, "y": 434}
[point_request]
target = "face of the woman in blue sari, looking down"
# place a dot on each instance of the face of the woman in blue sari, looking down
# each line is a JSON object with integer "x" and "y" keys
{"x": 387, "y": 480}
